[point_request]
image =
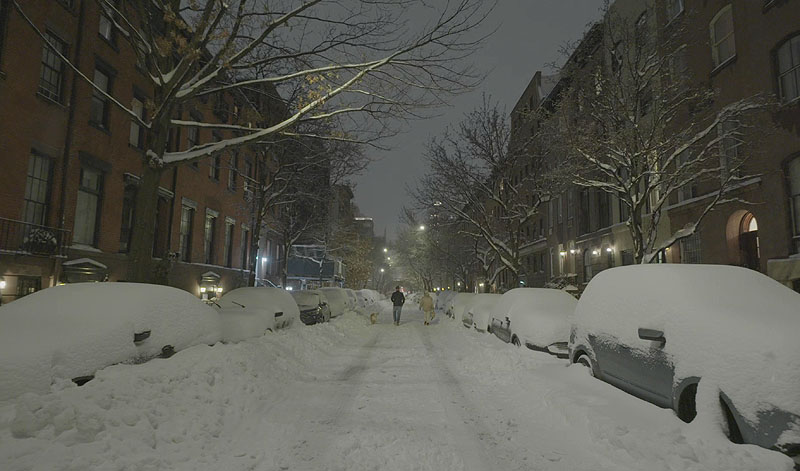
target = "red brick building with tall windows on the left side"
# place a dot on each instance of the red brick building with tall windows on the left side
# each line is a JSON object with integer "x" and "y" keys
{"x": 72, "y": 160}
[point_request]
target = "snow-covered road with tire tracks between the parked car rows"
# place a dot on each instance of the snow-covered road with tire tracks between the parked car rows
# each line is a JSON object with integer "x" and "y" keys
{"x": 353, "y": 396}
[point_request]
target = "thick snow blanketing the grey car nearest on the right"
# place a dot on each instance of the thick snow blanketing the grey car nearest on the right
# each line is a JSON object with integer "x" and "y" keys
{"x": 734, "y": 328}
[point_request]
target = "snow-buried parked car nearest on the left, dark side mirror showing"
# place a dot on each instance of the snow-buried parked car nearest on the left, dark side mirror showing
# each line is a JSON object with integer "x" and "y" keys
{"x": 71, "y": 331}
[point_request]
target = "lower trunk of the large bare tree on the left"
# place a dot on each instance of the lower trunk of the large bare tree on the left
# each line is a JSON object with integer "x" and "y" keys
{"x": 140, "y": 257}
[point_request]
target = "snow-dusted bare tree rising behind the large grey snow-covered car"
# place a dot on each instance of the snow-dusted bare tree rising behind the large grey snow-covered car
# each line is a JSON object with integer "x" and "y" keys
{"x": 628, "y": 124}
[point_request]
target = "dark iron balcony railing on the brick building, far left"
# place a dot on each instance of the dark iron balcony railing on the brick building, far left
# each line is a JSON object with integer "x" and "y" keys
{"x": 21, "y": 237}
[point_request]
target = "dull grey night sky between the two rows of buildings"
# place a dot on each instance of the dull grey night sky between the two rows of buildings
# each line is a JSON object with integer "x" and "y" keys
{"x": 529, "y": 36}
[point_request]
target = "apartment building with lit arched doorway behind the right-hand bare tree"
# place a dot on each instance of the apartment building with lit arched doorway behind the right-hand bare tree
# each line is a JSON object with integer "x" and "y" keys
{"x": 740, "y": 49}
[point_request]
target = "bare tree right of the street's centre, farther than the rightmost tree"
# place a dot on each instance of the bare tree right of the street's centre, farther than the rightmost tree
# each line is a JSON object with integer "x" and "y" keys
{"x": 492, "y": 191}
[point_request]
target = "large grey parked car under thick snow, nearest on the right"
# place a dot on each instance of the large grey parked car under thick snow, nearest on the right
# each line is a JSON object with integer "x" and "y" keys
{"x": 657, "y": 331}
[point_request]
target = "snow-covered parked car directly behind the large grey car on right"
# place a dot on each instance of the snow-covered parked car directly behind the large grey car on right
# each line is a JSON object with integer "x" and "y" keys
{"x": 538, "y": 318}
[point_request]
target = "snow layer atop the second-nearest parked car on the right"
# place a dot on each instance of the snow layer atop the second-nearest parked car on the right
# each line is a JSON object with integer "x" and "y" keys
{"x": 539, "y": 315}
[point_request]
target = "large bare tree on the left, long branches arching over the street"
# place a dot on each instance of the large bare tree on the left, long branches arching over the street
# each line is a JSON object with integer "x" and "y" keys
{"x": 361, "y": 63}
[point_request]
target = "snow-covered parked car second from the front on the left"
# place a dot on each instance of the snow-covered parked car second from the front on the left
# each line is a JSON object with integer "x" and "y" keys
{"x": 250, "y": 312}
